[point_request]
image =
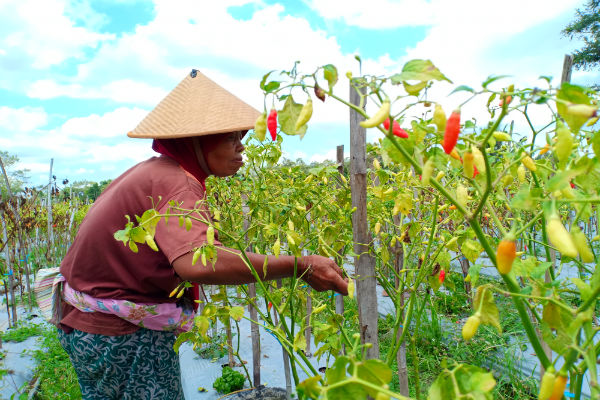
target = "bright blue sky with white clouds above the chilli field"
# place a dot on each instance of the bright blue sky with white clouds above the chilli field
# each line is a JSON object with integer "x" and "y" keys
{"x": 77, "y": 75}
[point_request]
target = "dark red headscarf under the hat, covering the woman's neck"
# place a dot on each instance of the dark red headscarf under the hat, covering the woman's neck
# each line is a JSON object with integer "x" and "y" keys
{"x": 182, "y": 150}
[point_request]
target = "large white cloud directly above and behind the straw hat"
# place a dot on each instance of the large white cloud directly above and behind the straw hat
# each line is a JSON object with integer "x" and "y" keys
{"x": 183, "y": 35}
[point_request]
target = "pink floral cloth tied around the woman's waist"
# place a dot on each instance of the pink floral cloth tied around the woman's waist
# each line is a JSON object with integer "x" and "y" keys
{"x": 178, "y": 317}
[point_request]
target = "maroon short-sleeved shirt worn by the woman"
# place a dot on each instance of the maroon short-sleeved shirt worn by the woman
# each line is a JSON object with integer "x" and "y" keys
{"x": 99, "y": 265}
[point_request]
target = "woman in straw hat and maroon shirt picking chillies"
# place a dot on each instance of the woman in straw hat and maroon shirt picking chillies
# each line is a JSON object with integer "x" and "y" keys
{"x": 118, "y": 323}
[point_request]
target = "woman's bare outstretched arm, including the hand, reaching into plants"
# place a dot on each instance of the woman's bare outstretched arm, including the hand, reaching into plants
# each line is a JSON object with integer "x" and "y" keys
{"x": 230, "y": 269}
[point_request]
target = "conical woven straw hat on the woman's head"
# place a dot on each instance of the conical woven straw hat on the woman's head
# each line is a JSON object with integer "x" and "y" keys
{"x": 196, "y": 107}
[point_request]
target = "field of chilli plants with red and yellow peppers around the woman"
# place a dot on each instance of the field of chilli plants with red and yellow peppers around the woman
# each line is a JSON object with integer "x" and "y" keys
{"x": 471, "y": 246}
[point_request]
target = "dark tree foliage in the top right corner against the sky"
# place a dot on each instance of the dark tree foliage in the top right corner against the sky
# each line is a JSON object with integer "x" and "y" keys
{"x": 586, "y": 26}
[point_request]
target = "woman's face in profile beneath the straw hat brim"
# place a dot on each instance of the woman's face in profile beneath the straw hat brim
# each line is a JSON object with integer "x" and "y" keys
{"x": 223, "y": 153}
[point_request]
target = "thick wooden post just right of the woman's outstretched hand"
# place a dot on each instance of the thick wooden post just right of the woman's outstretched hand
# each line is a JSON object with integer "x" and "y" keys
{"x": 366, "y": 282}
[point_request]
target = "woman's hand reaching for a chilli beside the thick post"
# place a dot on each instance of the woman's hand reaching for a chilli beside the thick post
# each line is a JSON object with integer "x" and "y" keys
{"x": 322, "y": 274}
